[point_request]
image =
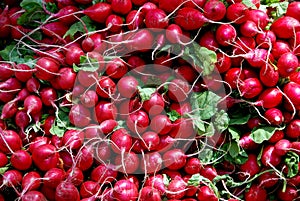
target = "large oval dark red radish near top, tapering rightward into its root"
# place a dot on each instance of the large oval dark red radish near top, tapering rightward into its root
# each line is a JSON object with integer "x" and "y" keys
{"x": 190, "y": 18}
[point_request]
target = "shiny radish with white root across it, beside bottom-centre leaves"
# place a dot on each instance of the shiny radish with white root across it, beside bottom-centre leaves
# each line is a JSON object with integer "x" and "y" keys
{"x": 176, "y": 188}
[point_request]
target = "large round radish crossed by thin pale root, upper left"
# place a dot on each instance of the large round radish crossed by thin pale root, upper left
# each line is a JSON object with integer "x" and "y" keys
{"x": 46, "y": 68}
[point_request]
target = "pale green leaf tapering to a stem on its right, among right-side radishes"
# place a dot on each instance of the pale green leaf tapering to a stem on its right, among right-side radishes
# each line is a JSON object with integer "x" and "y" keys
{"x": 261, "y": 134}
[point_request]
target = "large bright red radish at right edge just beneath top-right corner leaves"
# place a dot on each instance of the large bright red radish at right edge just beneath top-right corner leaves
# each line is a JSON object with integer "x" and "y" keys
{"x": 285, "y": 27}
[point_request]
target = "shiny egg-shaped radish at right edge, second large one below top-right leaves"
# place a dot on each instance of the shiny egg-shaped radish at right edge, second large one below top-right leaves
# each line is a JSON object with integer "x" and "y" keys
{"x": 287, "y": 64}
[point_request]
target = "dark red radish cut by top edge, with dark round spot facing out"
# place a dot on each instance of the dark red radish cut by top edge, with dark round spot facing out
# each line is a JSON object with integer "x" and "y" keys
{"x": 214, "y": 10}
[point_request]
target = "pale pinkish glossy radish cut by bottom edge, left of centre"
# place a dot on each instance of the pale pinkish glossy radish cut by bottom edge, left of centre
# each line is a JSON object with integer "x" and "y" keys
{"x": 125, "y": 190}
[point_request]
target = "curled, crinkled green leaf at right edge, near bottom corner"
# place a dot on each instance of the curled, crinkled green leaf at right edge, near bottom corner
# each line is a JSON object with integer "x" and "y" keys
{"x": 292, "y": 162}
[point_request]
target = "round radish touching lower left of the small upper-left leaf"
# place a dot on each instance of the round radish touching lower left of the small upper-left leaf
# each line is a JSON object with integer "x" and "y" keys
{"x": 66, "y": 78}
